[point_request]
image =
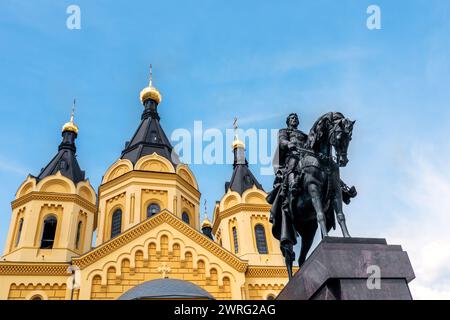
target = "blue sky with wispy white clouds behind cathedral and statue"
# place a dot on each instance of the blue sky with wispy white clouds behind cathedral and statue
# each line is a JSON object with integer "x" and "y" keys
{"x": 214, "y": 60}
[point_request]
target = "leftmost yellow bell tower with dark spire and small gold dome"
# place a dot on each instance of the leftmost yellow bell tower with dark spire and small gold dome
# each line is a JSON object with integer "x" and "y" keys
{"x": 53, "y": 213}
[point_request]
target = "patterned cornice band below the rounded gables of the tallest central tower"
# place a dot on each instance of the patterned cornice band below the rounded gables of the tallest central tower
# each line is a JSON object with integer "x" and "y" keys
{"x": 154, "y": 174}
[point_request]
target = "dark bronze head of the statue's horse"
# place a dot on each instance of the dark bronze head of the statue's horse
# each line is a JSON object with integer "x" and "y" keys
{"x": 340, "y": 137}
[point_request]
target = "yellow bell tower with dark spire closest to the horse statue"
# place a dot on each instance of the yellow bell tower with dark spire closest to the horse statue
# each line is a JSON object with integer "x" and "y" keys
{"x": 241, "y": 218}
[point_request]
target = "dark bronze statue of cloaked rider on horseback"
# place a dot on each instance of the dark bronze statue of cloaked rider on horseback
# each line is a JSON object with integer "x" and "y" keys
{"x": 308, "y": 190}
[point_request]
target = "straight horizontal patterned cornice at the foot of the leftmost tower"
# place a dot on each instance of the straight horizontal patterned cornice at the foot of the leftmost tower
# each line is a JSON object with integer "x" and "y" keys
{"x": 33, "y": 269}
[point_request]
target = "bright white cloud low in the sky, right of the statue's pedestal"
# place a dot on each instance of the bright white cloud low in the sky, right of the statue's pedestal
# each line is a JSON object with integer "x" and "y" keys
{"x": 422, "y": 229}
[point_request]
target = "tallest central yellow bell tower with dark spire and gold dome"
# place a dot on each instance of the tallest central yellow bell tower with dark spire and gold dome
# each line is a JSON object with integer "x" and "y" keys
{"x": 147, "y": 178}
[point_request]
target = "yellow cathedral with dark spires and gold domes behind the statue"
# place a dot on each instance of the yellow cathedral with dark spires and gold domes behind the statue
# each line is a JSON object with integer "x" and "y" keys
{"x": 141, "y": 235}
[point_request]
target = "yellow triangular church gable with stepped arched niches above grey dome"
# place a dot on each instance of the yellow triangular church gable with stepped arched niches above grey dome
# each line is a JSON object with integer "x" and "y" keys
{"x": 162, "y": 246}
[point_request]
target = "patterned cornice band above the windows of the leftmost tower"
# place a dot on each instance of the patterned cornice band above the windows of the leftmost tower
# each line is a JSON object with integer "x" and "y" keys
{"x": 54, "y": 197}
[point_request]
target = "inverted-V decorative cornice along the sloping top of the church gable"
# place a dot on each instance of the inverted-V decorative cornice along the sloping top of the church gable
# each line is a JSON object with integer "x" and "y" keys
{"x": 144, "y": 227}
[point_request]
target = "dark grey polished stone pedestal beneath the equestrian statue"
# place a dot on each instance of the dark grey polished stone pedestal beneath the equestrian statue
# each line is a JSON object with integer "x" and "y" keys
{"x": 352, "y": 269}
